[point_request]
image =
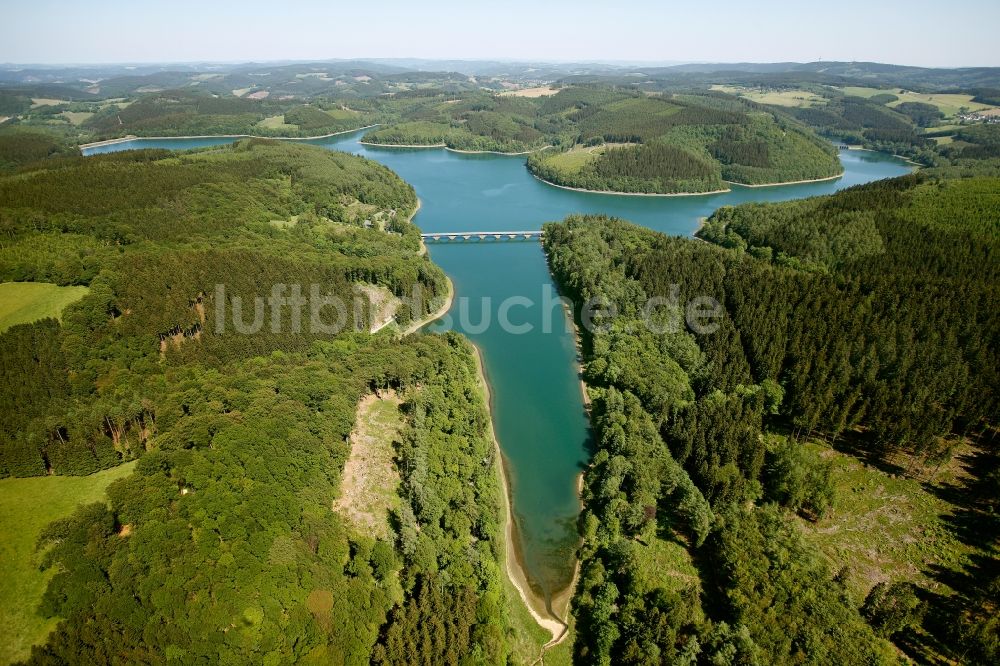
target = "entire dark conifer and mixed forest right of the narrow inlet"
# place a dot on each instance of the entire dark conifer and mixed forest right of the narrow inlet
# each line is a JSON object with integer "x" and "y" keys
{"x": 866, "y": 319}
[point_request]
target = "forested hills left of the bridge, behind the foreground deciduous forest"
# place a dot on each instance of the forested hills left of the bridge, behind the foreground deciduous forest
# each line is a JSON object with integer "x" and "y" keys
{"x": 152, "y": 234}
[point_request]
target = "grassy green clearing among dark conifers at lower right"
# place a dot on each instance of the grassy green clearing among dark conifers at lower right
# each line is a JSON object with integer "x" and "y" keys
{"x": 884, "y": 527}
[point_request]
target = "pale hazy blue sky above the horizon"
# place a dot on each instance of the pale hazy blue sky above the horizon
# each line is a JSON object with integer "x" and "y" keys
{"x": 915, "y": 32}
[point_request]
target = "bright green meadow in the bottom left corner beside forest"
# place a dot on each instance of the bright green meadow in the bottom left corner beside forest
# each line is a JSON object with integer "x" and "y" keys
{"x": 26, "y": 507}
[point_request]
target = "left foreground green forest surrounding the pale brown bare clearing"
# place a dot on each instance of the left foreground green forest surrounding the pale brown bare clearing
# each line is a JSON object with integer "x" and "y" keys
{"x": 222, "y": 547}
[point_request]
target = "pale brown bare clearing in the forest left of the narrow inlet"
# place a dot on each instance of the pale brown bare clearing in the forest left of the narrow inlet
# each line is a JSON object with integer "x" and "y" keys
{"x": 369, "y": 485}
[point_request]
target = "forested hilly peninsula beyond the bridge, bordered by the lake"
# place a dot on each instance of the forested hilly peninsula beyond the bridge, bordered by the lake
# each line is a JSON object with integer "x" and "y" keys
{"x": 608, "y": 139}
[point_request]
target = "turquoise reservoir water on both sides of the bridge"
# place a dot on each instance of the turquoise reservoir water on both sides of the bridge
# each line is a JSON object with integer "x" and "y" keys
{"x": 537, "y": 402}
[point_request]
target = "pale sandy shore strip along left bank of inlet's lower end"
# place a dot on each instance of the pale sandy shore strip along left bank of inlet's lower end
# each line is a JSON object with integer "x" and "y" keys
{"x": 515, "y": 571}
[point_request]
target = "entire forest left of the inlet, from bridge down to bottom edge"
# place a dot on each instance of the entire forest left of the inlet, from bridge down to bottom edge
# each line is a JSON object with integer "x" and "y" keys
{"x": 222, "y": 546}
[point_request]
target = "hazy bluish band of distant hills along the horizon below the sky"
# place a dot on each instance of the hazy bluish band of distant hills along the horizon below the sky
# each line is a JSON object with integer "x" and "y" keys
{"x": 336, "y": 77}
